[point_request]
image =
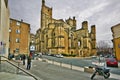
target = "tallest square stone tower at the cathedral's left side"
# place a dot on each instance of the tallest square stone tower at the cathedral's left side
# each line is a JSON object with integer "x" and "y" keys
{"x": 46, "y": 19}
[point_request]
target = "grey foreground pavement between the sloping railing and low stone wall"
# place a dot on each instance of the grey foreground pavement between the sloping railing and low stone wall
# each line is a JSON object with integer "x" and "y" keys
{"x": 47, "y": 71}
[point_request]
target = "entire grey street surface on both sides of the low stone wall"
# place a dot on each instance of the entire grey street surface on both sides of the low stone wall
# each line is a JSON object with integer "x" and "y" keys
{"x": 48, "y": 71}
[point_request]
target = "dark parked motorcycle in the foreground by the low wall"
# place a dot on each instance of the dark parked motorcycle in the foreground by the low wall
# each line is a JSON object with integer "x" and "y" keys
{"x": 101, "y": 71}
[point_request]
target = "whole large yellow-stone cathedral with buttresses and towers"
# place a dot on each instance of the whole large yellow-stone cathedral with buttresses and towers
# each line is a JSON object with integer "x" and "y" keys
{"x": 58, "y": 36}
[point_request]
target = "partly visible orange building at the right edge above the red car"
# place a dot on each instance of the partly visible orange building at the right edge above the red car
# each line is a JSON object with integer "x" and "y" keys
{"x": 116, "y": 40}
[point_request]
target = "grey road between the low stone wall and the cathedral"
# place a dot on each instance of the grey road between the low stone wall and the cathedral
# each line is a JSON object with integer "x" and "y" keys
{"x": 81, "y": 62}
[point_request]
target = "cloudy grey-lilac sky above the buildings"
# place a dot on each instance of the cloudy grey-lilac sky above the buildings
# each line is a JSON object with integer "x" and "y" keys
{"x": 102, "y": 13}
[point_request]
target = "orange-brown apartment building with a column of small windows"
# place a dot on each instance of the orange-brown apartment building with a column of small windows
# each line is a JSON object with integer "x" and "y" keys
{"x": 19, "y": 37}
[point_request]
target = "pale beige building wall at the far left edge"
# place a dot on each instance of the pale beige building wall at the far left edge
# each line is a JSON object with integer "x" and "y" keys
{"x": 4, "y": 28}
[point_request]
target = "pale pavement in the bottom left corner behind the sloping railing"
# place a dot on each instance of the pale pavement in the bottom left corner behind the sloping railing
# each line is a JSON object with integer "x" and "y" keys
{"x": 10, "y": 72}
